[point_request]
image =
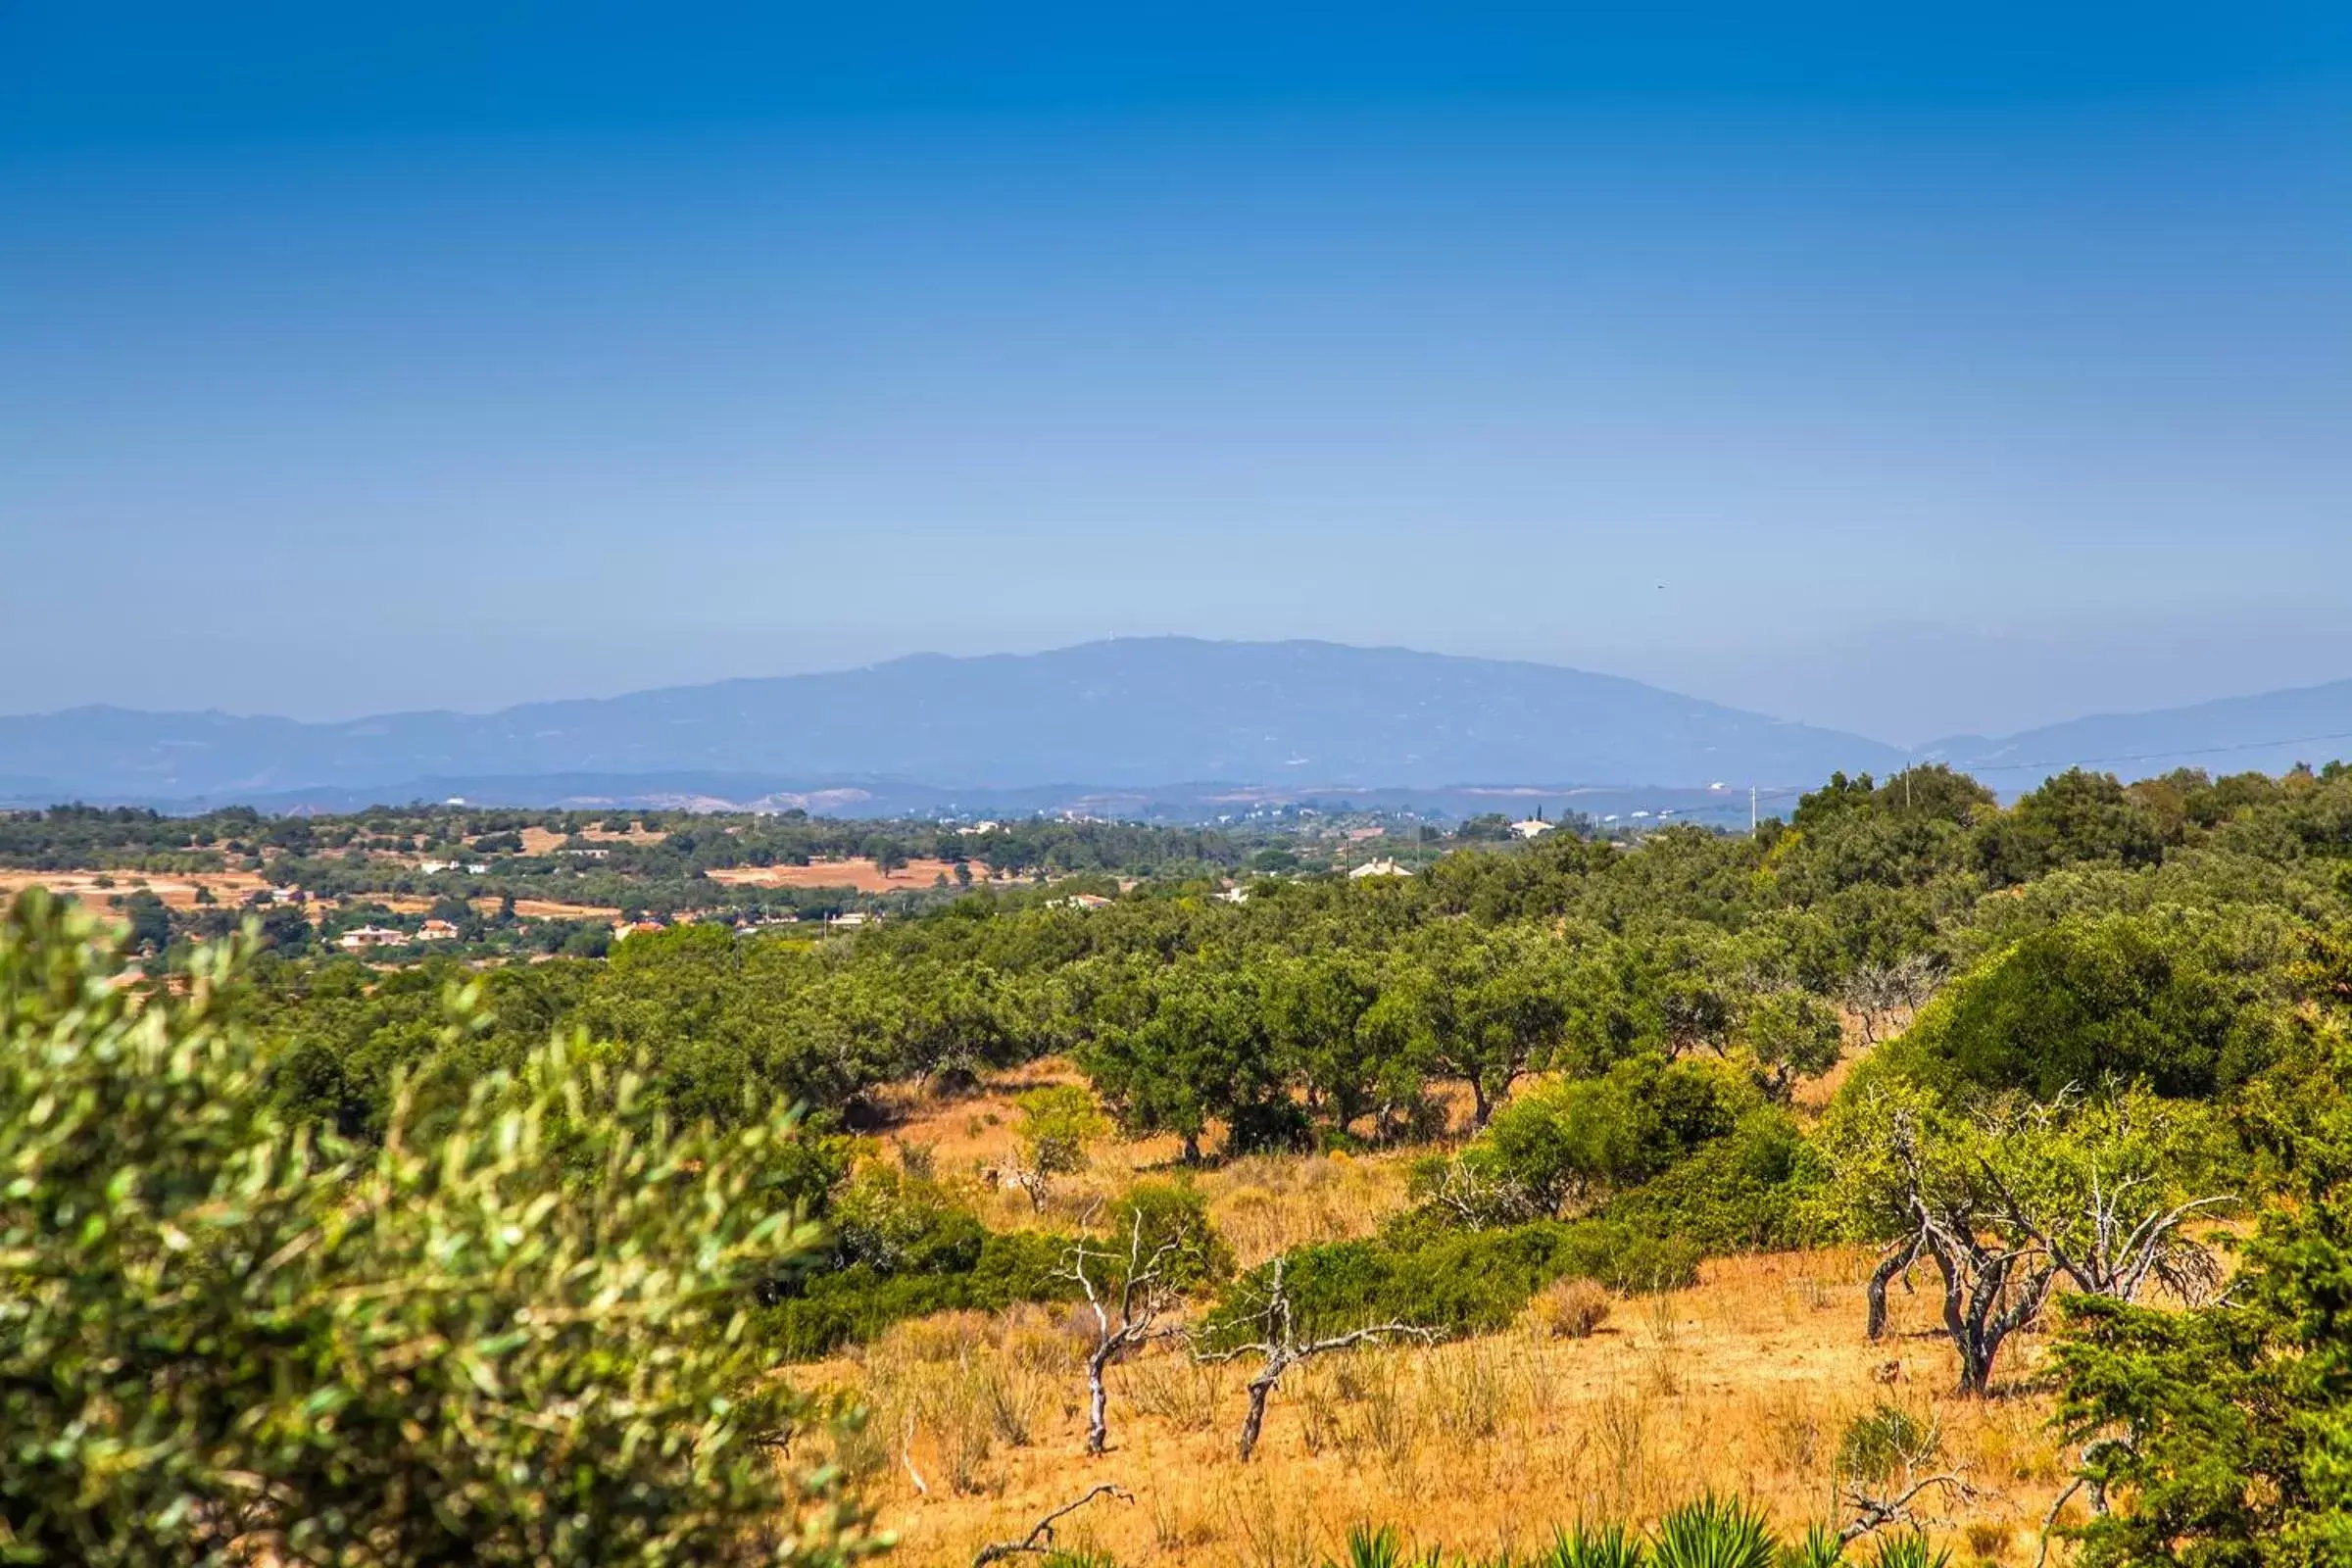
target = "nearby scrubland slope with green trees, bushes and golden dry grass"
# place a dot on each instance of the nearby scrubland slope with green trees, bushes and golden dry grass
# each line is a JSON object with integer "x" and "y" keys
{"x": 1911, "y": 1179}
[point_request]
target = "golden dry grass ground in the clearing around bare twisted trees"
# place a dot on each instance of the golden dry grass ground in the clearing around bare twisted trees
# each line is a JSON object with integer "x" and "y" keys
{"x": 1742, "y": 1383}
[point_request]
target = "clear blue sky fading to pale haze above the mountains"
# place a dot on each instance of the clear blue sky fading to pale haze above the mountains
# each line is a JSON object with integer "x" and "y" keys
{"x": 1878, "y": 370}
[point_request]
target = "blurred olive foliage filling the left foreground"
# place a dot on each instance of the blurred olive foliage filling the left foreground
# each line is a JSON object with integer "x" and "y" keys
{"x": 509, "y": 1334}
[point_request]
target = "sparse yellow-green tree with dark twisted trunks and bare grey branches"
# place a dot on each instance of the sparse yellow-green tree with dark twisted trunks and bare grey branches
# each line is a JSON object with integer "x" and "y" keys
{"x": 2017, "y": 1200}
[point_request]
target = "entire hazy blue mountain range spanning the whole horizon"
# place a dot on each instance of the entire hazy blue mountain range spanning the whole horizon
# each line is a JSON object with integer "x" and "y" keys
{"x": 1116, "y": 721}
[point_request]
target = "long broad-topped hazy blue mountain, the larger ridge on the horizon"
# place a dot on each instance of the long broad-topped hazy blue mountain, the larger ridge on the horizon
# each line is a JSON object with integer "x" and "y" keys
{"x": 1107, "y": 713}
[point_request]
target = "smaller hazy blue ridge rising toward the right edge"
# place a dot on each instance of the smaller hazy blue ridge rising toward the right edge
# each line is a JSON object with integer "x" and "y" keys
{"x": 2269, "y": 732}
